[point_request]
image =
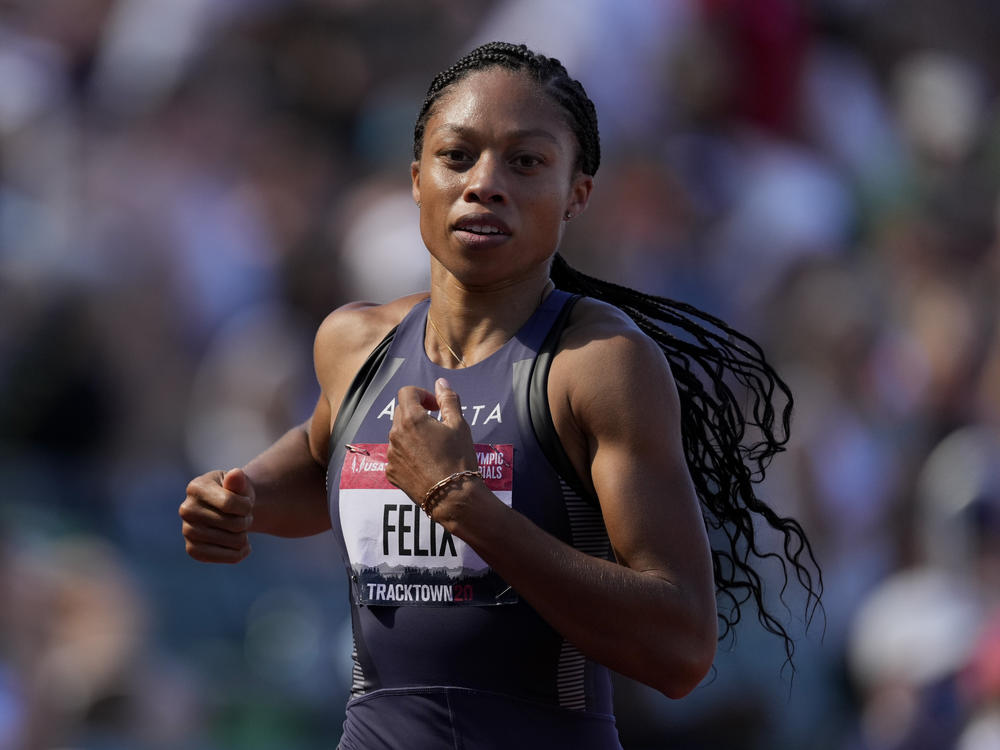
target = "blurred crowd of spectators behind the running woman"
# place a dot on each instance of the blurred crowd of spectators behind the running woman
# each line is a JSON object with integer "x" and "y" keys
{"x": 188, "y": 187}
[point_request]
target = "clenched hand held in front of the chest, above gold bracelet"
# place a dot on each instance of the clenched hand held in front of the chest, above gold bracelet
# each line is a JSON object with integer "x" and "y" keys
{"x": 422, "y": 449}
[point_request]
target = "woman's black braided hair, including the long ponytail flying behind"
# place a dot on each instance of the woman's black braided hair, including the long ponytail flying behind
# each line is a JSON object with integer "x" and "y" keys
{"x": 735, "y": 409}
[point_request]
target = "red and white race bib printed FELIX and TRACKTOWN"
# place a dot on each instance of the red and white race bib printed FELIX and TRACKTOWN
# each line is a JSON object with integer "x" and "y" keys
{"x": 398, "y": 555}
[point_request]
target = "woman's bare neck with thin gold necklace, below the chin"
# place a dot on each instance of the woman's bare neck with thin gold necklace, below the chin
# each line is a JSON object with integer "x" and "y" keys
{"x": 469, "y": 324}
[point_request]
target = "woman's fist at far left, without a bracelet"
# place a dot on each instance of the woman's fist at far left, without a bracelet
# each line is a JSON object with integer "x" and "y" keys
{"x": 216, "y": 516}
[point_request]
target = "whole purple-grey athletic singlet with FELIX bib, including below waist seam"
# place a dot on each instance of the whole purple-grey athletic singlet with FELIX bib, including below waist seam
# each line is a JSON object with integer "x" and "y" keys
{"x": 446, "y": 654}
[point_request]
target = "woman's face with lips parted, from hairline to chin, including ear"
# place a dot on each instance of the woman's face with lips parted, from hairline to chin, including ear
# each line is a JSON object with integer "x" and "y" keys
{"x": 495, "y": 179}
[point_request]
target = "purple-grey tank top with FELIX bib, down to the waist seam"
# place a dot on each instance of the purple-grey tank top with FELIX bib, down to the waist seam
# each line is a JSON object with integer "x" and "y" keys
{"x": 427, "y": 612}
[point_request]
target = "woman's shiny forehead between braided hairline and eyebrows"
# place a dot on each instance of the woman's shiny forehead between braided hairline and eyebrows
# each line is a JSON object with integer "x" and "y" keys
{"x": 498, "y": 100}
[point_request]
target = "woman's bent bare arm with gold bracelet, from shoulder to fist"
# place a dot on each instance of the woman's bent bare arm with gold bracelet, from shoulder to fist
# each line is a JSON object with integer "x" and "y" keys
{"x": 650, "y": 617}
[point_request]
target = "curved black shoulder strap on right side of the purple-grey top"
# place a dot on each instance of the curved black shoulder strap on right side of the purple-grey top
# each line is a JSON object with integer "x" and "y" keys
{"x": 540, "y": 413}
